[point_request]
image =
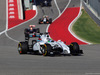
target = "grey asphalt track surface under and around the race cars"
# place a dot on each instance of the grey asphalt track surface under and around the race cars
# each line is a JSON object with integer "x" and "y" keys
{"x": 11, "y": 63}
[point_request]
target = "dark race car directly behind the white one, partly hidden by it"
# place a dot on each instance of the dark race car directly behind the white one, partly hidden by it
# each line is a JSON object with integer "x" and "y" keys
{"x": 31, "y": 32}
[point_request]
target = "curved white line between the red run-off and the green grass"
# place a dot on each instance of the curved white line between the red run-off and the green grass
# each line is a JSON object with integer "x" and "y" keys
{"x": 71, "y": 24}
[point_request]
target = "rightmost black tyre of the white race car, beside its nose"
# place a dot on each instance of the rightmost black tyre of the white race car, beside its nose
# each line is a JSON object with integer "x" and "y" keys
{"x": 74, "y": 48}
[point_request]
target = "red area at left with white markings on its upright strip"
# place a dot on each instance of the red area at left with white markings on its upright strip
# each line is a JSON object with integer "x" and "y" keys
{"x": 13, "y": 14}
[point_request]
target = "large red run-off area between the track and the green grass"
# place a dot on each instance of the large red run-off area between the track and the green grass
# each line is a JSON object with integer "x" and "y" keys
{"x": 59, "y": 28}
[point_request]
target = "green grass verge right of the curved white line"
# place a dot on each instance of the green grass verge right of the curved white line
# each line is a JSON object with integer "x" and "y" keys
{"x": 87, "y": 29}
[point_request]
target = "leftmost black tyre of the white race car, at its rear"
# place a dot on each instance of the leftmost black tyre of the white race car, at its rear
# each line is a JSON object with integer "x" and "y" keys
{"x": 23, "y": 47}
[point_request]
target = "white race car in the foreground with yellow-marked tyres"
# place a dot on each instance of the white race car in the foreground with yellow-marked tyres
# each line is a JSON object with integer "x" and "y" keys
{"x": 46, "y": 46}
